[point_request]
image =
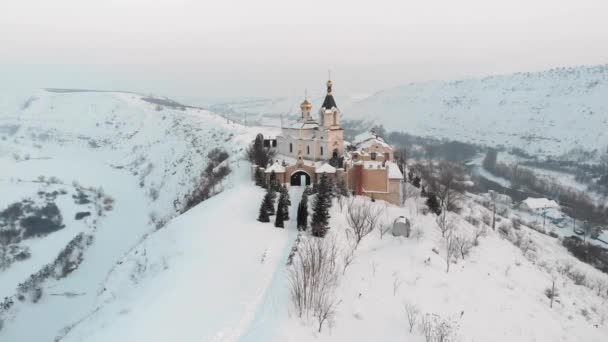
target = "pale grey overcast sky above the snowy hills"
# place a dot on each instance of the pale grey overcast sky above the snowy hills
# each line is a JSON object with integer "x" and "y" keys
{"x": 279, "y": 47}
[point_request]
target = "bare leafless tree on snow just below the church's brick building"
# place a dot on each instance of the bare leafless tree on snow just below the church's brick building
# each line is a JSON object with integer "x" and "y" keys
{"x": 362, "y": 218}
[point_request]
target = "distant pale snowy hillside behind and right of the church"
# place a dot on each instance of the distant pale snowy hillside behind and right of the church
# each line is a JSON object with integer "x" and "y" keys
{"x": 548, "y": 112}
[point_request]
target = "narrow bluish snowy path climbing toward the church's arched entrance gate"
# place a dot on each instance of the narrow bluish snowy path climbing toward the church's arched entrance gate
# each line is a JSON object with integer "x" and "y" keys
{"x": 274, "y": 305}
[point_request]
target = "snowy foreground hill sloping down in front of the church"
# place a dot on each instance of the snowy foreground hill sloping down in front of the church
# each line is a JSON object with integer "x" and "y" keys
{"x": 216, "y": 274}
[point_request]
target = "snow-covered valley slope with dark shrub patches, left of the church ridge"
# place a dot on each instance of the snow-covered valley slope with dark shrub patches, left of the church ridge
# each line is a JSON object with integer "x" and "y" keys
{"x": 104, "y": 170}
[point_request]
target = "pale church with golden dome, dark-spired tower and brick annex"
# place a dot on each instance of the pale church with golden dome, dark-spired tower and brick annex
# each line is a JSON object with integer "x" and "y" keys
{"x": 314, "y": 146}
